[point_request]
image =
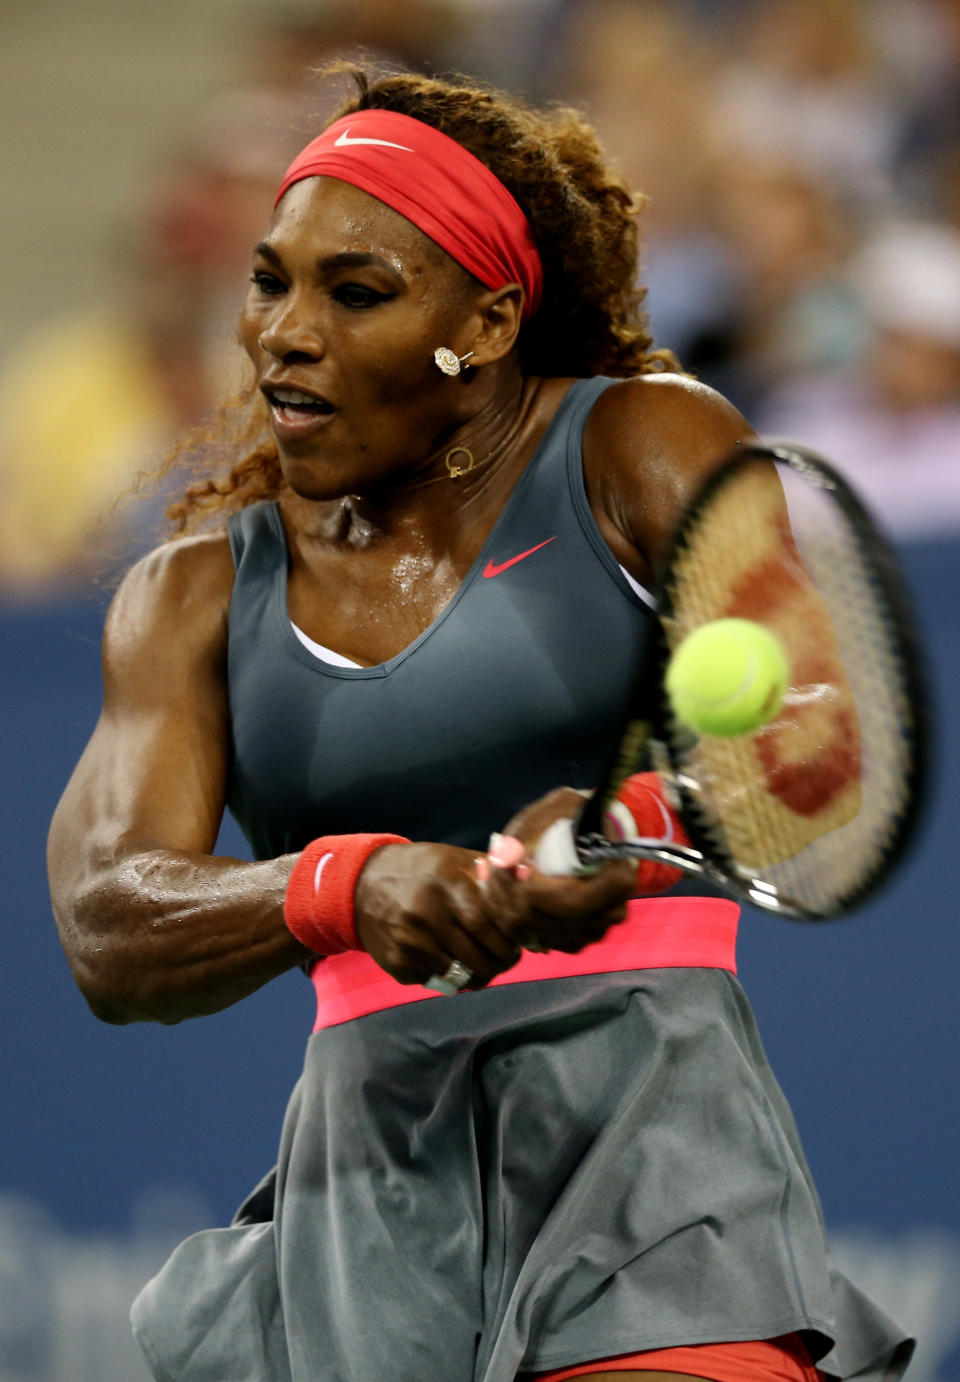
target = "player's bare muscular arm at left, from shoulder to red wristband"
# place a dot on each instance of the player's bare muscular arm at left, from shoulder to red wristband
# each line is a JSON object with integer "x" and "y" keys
{"x": 154, "y": 927}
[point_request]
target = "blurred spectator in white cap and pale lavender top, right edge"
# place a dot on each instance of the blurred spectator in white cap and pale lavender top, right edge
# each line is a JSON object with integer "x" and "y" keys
{"x": 893, "y": 426}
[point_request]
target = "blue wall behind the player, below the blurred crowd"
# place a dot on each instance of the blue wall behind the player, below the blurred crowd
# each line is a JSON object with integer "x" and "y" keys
{"x": 115, "y": 1133}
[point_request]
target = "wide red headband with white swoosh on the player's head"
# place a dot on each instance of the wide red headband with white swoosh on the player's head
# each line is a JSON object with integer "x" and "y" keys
{"x": 437, "y": 184}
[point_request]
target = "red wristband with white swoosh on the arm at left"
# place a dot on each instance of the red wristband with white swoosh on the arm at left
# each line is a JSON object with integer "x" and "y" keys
{"x": 318, "y": 906}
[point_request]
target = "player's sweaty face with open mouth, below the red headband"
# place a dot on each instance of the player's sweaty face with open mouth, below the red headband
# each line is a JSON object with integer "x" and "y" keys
{"x": 347, "y": 305}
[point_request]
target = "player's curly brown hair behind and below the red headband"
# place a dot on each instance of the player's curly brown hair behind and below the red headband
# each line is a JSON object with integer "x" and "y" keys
{"x": 584, "y": 216}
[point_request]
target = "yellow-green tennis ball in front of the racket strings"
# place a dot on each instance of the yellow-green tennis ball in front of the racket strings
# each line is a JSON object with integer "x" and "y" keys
{"x": 727, "y": 678}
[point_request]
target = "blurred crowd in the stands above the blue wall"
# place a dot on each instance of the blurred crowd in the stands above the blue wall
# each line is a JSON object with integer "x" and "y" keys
{"x": 802, "y": 161}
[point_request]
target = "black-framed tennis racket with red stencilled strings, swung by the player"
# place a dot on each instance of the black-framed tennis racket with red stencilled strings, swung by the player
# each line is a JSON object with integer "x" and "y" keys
{"x": 807, "y": 813}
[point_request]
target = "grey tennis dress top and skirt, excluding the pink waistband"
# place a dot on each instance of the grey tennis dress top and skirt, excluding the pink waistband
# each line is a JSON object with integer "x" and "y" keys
{"x": 535, "y": 1175}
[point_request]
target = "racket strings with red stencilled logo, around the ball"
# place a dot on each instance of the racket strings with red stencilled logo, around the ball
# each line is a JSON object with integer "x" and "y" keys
{"x": 809, "y": 808}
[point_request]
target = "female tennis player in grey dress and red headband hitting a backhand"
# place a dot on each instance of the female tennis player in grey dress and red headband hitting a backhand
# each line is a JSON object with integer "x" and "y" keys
{"x": 537, "y": 1134}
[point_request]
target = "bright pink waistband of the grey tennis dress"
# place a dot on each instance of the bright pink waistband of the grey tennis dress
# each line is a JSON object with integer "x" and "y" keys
{"x": 658, "y": 934}
